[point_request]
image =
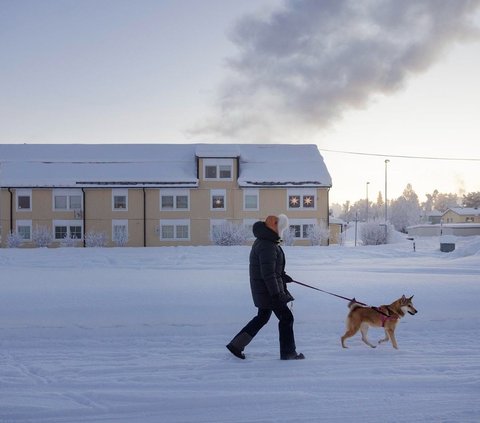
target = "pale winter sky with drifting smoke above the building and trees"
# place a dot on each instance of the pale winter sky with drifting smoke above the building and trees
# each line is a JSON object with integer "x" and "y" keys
{"x": 345, "y": 77}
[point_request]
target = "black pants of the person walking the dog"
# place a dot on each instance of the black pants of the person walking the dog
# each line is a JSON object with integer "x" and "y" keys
{"x": 285, "y": 327}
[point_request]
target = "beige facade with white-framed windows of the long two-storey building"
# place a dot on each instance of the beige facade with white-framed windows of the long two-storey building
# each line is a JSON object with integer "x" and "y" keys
{"x": 175, "y": 213}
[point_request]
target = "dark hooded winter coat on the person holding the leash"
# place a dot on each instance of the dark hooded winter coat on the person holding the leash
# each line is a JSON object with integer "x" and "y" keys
{"x": 267, "y": 267}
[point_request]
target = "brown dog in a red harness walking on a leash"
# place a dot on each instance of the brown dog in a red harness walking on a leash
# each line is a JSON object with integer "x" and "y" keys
{"x": 386, "y": 316}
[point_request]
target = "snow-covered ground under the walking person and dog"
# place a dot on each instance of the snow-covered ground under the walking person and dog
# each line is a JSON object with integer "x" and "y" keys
{"x": 138, "y": 335}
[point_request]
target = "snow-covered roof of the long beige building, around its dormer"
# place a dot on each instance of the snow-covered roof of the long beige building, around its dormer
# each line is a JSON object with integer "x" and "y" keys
{"x": 160, "y": 165}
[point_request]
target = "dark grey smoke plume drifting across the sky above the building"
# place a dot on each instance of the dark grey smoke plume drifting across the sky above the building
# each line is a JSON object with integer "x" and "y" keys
{"x": 308, "y": 63}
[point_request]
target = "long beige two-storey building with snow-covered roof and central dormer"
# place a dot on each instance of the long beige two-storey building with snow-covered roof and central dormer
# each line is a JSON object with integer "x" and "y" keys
{"x": 158, "y": 194}
